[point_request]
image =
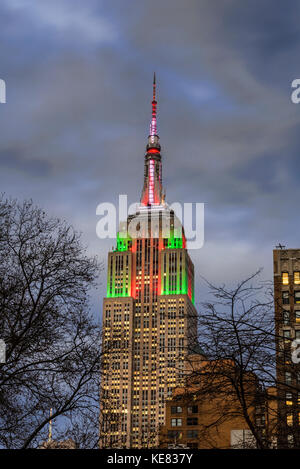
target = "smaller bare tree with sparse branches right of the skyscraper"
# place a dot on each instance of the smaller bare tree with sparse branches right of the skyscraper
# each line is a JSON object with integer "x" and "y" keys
{"x": 237, "y": 335}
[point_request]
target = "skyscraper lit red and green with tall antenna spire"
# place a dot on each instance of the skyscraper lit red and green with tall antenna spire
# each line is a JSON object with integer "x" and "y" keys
{"x": 149, "y": 319}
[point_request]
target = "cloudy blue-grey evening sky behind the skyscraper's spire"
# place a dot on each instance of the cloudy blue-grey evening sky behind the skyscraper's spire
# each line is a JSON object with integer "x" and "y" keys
{"x": 74, "y": 128}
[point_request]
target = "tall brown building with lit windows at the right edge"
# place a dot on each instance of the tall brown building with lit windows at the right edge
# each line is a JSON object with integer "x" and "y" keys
{"x": 287, "y": 323}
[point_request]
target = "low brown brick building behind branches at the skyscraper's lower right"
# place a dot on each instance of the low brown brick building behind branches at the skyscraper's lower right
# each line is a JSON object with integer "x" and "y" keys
{"x": 206, "y": 413}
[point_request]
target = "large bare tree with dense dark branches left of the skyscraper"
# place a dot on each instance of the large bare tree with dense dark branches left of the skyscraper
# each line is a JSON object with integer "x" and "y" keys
{"x": 52, "y": 341}
